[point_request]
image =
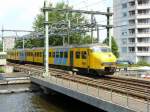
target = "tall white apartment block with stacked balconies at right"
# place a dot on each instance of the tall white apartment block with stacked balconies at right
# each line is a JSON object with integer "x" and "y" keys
{"x": 132, "y": 29}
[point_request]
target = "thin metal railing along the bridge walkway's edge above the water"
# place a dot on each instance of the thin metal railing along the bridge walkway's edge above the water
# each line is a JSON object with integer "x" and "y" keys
{"x": 111, "y": 96}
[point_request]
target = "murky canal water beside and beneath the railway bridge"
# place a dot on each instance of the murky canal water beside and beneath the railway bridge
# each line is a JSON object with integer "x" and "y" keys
{"x": 37, "y": 101}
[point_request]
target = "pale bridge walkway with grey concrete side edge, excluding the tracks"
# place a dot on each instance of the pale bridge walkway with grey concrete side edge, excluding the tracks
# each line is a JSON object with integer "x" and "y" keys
{"x": 107, "y": 100}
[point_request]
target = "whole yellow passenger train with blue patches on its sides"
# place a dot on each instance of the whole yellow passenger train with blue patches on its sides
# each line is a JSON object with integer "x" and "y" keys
{"x": 93, "y": 58}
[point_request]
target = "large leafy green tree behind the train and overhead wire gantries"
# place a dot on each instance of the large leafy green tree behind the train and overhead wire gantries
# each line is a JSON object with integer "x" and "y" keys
{"x": 56, "y": 17}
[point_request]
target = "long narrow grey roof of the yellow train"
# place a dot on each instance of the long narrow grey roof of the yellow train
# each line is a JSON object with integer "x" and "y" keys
{"x": 67, "y": 46}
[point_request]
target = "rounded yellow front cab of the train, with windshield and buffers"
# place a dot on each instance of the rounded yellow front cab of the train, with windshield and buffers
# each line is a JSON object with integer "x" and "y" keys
{"x": 102, "y": 60}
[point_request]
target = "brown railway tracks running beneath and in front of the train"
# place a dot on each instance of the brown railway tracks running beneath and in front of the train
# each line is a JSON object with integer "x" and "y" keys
{"x": 130, "y": 87}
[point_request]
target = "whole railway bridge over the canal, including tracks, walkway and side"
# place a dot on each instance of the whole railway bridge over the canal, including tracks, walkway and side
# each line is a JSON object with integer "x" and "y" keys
{"x": 111, "y": 95}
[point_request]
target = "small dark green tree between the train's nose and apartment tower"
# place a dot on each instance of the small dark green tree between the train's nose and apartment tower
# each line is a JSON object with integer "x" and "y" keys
{"x": 114, "y": 46}
